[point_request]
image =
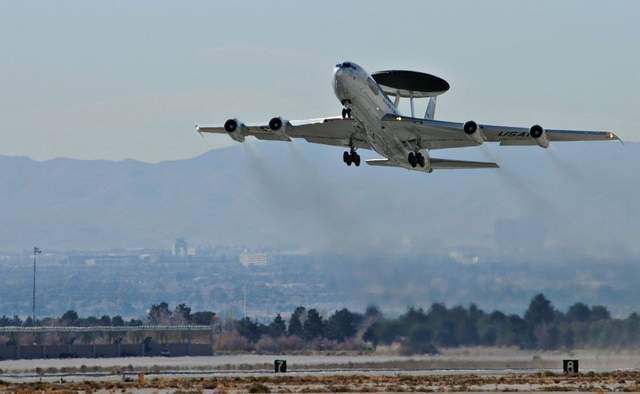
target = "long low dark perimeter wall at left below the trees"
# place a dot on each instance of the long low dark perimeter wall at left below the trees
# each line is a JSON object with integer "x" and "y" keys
{"x": 13, "y": 352}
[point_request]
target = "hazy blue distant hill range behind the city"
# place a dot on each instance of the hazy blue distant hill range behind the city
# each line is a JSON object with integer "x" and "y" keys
{"x": 573, "y": 200}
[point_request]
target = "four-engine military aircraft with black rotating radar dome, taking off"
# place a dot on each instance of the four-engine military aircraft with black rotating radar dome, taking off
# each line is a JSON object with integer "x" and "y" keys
{"x": 371, "y": 120}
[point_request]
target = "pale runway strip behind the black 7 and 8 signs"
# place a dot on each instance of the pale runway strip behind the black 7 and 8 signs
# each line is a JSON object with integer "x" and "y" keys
{"x": 449, "y": 359}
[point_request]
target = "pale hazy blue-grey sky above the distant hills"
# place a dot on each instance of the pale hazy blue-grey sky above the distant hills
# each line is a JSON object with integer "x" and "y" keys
{"x": 124, "y": 79}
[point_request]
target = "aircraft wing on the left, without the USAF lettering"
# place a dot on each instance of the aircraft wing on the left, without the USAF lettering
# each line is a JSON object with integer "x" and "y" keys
{"x": 328, "y": 131}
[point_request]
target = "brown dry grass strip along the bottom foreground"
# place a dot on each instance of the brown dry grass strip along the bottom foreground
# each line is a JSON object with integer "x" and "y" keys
{"x": 595, "y": 382}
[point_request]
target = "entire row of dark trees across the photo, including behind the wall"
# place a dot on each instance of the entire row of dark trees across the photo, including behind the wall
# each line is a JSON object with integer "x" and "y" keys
{"x": 541, "y": 326}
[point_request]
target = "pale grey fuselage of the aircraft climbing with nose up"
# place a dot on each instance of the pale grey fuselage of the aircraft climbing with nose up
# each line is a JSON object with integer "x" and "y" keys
{"x": 357, "y": 91}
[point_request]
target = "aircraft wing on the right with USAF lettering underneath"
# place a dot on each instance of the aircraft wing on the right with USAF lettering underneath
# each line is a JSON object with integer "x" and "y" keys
{"x": 436, "y": 134}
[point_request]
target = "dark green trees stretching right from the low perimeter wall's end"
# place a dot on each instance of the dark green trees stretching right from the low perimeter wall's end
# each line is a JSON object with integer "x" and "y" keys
{"x": 542, "y": 326}
